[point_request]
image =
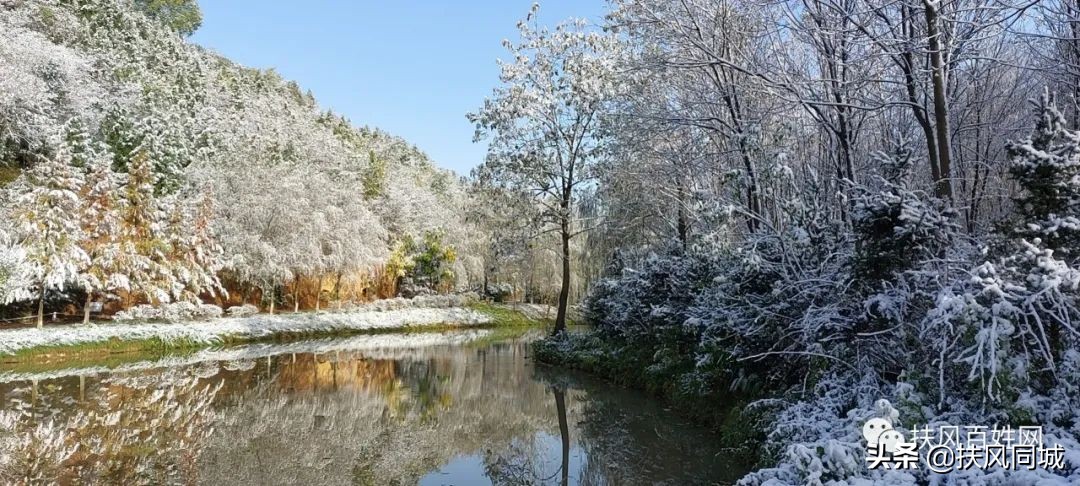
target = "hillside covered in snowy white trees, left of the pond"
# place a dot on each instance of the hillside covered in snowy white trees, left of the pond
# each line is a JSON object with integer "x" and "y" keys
{"x": 202, "y": 175}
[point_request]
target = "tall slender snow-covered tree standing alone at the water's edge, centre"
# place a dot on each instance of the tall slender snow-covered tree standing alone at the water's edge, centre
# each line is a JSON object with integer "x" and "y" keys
{"x": 545, "y": 121}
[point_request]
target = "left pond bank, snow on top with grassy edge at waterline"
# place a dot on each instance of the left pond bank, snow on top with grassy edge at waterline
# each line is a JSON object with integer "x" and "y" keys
{"x": 100, "y": 342}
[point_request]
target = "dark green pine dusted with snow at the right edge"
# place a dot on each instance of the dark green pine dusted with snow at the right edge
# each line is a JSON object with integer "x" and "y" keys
{"x": 1047, "y": 167}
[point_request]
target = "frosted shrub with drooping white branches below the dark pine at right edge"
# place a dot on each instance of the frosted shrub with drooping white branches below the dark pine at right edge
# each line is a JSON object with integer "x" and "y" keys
{"x": 1007, "y": 327}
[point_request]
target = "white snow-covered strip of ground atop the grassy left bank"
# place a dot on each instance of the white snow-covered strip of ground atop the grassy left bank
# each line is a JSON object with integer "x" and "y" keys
{"x": 242, "y": 329}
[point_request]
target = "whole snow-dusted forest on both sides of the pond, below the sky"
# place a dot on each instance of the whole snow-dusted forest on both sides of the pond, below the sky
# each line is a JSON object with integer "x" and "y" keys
{"x": 784, "y": 218}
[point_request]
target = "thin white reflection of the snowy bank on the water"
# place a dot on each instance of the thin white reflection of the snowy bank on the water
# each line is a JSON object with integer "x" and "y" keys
{"x": 385, "y": 345}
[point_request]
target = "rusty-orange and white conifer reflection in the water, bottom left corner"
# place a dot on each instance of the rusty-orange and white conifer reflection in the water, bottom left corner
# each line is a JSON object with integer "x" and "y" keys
{"x": 130, "y": 430}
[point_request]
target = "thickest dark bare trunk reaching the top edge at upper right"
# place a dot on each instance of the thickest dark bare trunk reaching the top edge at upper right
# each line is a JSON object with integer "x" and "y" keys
{"x": 943, "y": 187}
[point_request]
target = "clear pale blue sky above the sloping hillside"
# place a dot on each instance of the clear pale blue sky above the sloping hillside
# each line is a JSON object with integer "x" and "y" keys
{"x": 411, "y": 67}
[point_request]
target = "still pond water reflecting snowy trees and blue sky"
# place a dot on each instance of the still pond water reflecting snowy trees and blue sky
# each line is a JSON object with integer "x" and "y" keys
{"x": 451, "y": 409}
